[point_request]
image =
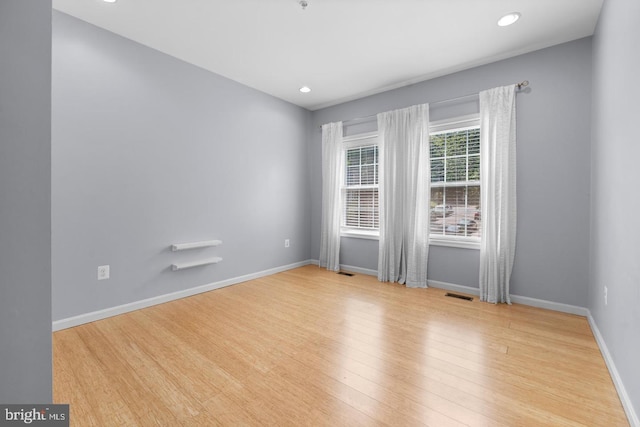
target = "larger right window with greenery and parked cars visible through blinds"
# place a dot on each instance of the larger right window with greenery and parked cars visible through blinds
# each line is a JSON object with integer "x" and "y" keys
{"x": 455, "y": 181}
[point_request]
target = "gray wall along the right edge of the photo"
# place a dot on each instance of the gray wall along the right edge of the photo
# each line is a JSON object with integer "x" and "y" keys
{"x": 615, "y": 194}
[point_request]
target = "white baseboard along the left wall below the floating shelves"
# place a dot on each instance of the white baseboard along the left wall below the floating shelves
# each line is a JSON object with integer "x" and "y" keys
{"x": 125, "y": 308}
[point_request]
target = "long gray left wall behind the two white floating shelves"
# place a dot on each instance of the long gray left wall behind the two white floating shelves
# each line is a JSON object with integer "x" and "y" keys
{"x": 150, "y": 151}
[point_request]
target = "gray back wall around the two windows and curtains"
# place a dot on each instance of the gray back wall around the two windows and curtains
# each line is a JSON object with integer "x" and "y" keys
{"x": 553, "y": 169}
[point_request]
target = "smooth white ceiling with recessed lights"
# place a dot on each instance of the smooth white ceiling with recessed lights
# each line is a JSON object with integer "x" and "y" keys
{"x": 342, "y": 49}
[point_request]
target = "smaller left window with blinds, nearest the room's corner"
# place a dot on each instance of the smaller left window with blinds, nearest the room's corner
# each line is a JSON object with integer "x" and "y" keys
{"x": 360, "y": 186}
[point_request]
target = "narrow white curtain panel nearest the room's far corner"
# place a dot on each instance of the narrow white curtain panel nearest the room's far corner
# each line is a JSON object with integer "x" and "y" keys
{"x": 332, "y": 170}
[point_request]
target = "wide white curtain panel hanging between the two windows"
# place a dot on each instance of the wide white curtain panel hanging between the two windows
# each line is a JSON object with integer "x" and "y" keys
{"x": 404, "y": 170}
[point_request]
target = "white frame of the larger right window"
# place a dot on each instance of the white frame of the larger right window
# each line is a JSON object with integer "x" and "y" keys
{"x": 471, "y": 121}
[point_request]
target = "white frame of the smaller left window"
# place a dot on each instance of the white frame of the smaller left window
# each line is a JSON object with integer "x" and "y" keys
{"x": 349, "y": 142}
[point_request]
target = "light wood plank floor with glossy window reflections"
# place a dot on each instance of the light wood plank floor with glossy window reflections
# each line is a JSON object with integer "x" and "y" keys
{"x": 309, "y": 347}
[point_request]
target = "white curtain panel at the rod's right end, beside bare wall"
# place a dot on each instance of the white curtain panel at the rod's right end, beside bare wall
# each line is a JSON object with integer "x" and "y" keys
{"x": 498, "y": 199}
